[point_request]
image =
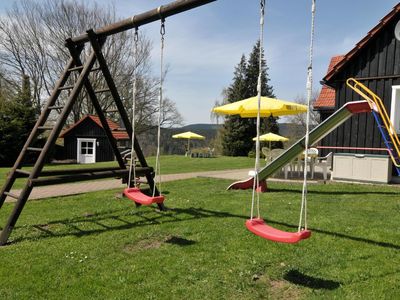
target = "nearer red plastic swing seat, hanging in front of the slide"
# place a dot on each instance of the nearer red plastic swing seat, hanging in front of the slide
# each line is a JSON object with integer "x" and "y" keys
{"x": 260, "y": 228}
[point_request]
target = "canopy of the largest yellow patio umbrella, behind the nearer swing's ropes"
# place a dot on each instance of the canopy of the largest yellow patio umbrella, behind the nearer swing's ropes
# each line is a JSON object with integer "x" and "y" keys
{"x": 247, "y": 108}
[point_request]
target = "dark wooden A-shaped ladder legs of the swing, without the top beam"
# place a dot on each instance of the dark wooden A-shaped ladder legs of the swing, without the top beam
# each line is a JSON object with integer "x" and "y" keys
{"x": 73, "y": 87}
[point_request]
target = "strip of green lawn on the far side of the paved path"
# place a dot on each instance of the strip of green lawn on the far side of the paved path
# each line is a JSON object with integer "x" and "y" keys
{"x": 170, "y": 164}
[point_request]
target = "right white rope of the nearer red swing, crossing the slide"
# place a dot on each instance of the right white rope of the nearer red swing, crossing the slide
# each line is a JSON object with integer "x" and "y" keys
{"x": 303, "y": 210}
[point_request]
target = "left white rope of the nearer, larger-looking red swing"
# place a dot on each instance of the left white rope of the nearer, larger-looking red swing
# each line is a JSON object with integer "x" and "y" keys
{"x": 259, "y": 88}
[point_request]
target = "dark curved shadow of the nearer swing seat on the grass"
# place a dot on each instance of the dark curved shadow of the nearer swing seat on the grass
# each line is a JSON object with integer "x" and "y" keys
{"x": 298, "y": 278}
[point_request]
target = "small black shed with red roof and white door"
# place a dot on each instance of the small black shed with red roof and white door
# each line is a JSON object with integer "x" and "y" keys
{"x": 86, "y": 141}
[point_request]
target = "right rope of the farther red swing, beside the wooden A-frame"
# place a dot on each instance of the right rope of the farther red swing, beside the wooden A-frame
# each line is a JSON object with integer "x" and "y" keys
{"x": 160, "y": 107}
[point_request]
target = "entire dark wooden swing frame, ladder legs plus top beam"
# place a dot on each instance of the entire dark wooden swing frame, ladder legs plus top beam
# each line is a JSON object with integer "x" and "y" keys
{"x": 75, "y": 45}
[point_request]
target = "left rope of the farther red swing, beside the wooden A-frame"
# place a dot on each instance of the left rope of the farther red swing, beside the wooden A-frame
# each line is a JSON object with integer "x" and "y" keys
{"x": 132, "y": 165}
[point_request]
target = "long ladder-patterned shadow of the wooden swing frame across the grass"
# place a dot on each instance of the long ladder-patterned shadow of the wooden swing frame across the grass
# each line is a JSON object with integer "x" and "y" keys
{"x": 122, "y": 220}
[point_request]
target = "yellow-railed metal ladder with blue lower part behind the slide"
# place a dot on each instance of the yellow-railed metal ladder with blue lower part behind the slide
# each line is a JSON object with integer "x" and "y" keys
{"x": 382, "y": 119}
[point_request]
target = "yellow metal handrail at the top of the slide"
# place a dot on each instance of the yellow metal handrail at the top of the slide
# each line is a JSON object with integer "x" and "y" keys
{"x": 376, "y": 104}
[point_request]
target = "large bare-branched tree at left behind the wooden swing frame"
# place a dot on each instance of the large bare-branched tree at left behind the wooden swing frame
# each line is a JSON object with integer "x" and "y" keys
{"x": 32, "y": 37}
